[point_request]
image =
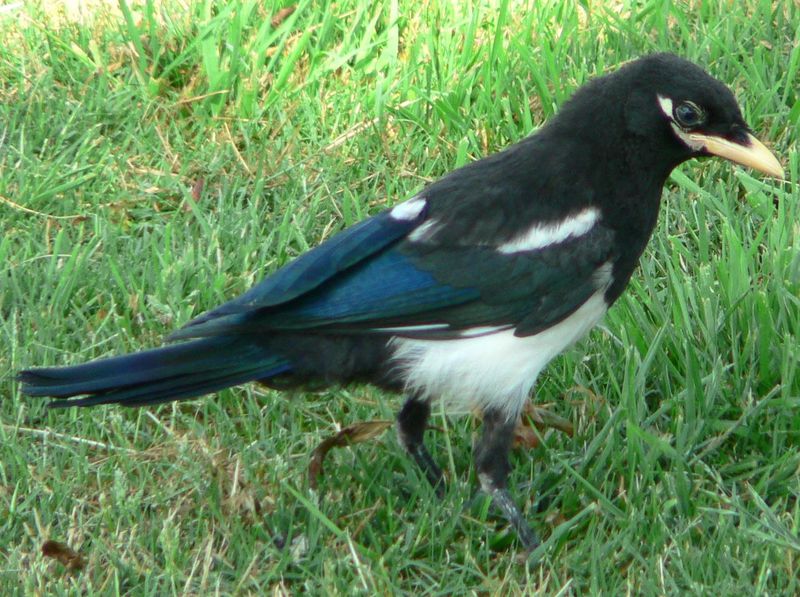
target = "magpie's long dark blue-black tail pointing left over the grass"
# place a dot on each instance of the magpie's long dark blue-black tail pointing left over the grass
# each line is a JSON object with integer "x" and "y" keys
{"x": 155, "y": 376}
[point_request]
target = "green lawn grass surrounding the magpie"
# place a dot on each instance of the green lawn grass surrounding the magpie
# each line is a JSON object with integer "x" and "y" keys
{"x": 158, "y": 158}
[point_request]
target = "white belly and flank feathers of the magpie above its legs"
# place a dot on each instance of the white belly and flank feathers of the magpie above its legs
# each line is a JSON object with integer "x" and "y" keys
{"x": 494, "y": 370}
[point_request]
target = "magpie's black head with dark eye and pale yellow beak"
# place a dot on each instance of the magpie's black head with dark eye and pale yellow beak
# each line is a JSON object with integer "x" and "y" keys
{"x": 686, "y": 113}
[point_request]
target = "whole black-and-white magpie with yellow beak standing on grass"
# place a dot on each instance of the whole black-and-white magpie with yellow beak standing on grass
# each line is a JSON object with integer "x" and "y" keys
{"x": 463, "y": 293}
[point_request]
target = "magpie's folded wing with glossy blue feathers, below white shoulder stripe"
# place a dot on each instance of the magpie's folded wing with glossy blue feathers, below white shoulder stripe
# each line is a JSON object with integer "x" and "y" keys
{"x": 376, "y": 277}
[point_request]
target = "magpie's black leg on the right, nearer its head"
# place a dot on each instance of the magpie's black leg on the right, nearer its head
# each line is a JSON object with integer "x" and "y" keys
{"x": 491, "y": 462}
